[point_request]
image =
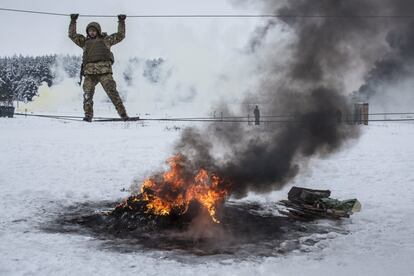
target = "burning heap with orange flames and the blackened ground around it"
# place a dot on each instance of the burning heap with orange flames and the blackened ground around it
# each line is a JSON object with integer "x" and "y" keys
{"x": 185, "y": 210}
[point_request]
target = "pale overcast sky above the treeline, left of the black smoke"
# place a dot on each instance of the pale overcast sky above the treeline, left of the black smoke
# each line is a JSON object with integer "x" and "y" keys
{"x": 24, "y": 33}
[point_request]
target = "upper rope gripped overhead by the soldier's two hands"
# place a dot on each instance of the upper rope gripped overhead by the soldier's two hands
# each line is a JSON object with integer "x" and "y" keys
{"x": 361, "y": 16}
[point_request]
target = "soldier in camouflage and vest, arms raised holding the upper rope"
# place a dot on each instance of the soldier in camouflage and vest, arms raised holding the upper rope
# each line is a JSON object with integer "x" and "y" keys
{"x": 97, "y": 63}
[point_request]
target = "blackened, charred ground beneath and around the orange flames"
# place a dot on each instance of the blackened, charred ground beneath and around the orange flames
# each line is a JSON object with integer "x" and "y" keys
{"x": 247, "y": 230}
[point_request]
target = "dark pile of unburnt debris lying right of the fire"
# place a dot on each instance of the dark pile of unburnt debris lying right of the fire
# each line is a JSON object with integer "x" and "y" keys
{"x": 309, "y": 204}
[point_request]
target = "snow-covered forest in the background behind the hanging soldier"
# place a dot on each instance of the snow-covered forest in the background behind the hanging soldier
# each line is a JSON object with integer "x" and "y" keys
{"x": 21, "y": 76}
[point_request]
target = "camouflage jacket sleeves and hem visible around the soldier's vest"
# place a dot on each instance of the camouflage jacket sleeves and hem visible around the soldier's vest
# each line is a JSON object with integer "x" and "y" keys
{"x": 101, "y": 67}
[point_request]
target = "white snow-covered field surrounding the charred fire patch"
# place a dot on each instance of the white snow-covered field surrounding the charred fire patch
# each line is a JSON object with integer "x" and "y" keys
{"x": 46, "y": 164}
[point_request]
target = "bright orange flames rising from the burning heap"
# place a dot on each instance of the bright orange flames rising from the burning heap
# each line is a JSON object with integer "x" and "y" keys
{"x": 174, "y": 190}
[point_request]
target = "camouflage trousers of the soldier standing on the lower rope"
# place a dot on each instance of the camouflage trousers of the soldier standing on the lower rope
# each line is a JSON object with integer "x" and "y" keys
{"x": 109, "y": 85}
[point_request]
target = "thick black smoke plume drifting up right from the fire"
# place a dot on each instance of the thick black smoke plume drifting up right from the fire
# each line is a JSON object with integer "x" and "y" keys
{"x": 310, "y": 87}
